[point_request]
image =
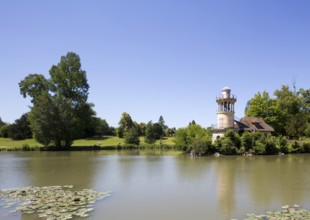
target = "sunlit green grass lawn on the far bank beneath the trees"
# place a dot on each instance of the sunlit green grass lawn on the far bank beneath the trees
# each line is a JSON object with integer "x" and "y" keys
{"x": 7, "y": 143}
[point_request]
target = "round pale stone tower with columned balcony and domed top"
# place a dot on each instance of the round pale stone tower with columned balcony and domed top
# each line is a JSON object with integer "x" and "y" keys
{"x": 226, "y": 109}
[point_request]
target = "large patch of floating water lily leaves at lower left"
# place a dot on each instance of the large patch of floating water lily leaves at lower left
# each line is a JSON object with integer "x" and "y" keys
{"x": 51, "y": 202}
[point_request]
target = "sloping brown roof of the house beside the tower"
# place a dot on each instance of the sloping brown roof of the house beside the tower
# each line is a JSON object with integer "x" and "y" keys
{"x": 253, "y": 124}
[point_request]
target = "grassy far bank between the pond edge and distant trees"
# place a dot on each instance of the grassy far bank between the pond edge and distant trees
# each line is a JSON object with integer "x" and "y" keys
{"x": 6, "y": 144}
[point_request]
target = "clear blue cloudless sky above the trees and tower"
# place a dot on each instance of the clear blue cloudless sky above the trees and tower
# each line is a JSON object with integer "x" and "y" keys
{"x": 157, "y": 57}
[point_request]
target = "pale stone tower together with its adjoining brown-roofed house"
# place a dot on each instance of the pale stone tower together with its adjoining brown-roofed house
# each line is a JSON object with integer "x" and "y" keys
{"x": 226, "y": 118}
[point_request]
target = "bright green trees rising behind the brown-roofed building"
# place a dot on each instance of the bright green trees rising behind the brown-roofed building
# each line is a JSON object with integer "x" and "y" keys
{"x": 287, "y": 112}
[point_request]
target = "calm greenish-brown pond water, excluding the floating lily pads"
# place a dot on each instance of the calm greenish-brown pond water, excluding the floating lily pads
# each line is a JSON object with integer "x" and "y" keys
{"x": 153, "y": 185}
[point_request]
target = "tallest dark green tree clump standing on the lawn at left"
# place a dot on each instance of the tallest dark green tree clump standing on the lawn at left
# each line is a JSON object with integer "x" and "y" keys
{"x": 60, "y": 110}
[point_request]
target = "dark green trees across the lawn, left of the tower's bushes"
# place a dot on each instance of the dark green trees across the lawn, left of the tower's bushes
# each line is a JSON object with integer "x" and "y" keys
{"x": 60, "y": 112}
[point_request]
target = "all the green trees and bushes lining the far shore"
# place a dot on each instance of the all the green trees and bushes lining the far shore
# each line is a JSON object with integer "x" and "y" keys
{"x": 60, "y": 113}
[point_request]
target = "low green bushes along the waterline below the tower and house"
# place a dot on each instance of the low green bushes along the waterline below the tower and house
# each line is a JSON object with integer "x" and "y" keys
{"x": 197, "y": 141}
